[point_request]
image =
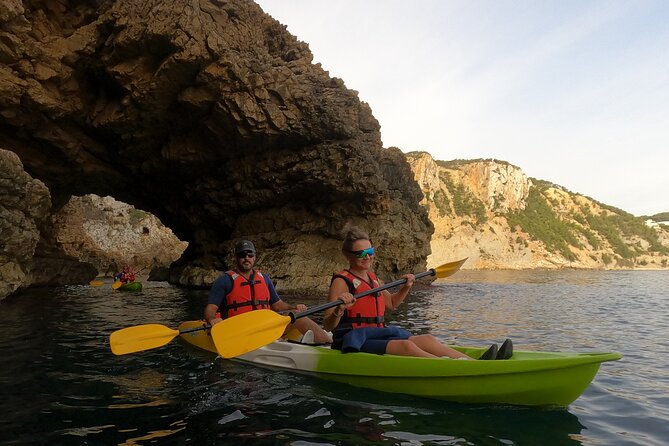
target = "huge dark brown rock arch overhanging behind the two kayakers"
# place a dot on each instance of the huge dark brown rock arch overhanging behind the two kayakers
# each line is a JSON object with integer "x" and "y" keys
{"x": 211, "y": 116}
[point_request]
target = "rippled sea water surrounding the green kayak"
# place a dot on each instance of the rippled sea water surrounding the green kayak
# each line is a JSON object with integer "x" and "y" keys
{"x": 60, "y": 384}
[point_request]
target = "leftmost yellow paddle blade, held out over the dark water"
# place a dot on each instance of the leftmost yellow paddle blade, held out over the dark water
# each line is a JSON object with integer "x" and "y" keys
{"x": 140, "y": 337}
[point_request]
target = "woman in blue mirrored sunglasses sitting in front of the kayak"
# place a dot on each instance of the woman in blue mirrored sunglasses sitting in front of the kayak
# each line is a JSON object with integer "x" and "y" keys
{"x": 360, "y": 326}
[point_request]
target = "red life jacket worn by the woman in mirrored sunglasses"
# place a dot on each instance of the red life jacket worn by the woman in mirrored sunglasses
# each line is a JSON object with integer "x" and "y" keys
{"x": 368, "y": 310}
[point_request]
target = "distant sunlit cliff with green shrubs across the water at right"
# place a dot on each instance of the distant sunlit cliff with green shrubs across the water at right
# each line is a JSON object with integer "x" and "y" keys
{"x": 491, "y": 212}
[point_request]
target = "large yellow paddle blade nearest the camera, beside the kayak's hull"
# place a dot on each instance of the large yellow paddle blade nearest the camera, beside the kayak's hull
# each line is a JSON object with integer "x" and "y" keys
{"x": 248, "y": 331}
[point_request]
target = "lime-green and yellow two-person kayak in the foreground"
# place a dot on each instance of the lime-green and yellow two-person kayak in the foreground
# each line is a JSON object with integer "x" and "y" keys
{"x": 528, "y": 378}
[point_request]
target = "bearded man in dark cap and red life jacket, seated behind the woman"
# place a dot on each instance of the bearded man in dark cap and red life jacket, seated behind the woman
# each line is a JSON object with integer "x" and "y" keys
{"x": 246, "y": 289}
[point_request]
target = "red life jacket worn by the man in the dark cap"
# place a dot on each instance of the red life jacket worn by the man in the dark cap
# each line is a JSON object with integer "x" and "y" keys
{"x": 246, "y": 295}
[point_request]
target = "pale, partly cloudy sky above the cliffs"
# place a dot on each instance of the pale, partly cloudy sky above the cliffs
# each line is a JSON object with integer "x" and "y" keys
{"x": 573, "y": 92}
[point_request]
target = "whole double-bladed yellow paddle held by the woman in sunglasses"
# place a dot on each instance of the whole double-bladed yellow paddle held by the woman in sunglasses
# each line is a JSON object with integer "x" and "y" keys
{"x": 248, "y": 331}
